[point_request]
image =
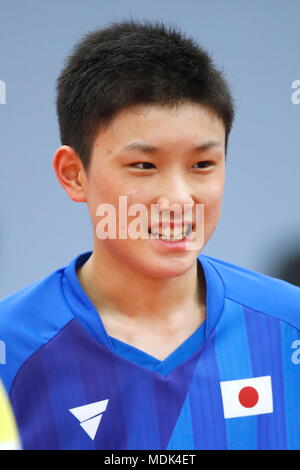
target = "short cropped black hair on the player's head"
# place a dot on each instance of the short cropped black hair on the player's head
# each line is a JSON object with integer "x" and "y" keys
{"x": 132, "y": 62}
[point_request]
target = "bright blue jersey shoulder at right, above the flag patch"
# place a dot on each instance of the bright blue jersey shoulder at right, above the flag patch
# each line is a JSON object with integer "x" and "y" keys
{"x": 259, "y": 292}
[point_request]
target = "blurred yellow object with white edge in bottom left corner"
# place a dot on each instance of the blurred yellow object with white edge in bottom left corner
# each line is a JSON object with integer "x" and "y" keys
{"x": 9, "y": 439}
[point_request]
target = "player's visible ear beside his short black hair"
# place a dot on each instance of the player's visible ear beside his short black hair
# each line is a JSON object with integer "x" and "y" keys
{"x": 70, "y": 173}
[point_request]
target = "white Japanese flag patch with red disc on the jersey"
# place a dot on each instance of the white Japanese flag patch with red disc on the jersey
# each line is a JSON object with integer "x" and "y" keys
{"x": 247, "y": 397}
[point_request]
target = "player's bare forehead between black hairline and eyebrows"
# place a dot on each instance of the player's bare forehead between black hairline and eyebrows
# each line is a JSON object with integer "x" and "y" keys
{"x": 162, "y": 125}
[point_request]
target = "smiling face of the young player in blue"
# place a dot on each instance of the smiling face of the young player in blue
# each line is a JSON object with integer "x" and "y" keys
{"x": 175, "y": 172}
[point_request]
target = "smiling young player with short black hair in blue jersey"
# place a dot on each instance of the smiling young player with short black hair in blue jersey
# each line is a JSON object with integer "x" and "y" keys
{"x": 144, "y": 343}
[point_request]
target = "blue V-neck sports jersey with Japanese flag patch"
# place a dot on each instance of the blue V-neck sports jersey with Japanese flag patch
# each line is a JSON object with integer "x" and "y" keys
{"x": 233, "y": 384}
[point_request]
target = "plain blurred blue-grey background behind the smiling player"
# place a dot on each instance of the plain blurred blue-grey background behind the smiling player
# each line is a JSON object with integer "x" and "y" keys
{"x": 256, "y": 43}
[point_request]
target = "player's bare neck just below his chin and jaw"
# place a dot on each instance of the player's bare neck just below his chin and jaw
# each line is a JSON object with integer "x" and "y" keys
{"x": 141, "y": 297}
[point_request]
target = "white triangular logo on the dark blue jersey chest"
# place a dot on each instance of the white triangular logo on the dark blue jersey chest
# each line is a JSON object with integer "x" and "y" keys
{"x": 90, "y": 416}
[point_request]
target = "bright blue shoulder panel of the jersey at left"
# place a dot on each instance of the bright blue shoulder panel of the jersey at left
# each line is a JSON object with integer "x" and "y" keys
{"x": 29, "y": 318}
